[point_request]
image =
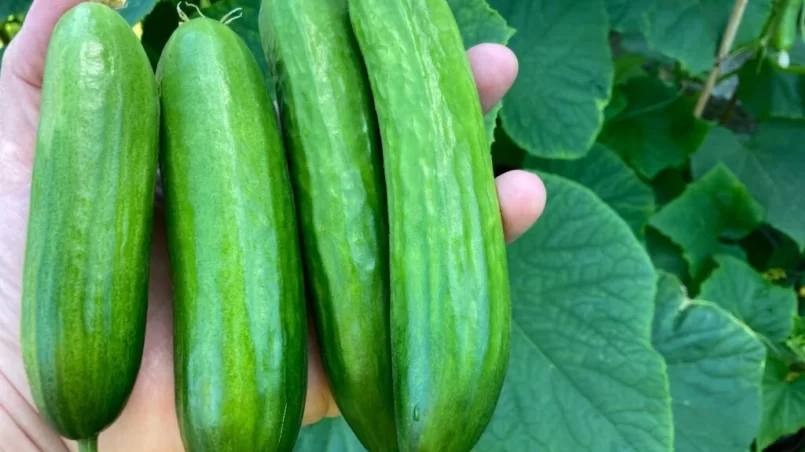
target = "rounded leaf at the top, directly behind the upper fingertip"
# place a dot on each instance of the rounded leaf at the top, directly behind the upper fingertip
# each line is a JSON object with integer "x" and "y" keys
{"x": 555, "y": 108}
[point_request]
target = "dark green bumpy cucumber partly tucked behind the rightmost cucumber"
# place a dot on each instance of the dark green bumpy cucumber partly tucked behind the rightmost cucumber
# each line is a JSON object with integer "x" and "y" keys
{"x": 330, "y": 129}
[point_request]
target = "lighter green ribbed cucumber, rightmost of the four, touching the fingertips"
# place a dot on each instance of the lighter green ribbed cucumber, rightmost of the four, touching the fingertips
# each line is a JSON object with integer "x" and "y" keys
{"x": 450, "y": 307}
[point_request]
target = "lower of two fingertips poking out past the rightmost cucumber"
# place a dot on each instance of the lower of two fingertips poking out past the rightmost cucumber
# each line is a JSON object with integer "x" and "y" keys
{"x": 522, "y": 199}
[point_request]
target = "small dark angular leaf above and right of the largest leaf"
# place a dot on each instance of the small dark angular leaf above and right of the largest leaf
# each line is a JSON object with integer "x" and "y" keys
{"x": 714, "y": 205}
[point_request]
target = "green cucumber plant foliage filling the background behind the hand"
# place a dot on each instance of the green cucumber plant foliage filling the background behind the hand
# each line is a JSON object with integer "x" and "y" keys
{"x": 646, "y": 201}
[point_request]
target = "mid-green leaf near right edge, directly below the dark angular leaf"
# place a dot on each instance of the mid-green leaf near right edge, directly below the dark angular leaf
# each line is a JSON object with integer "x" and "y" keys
{"x": 768, "y": 309}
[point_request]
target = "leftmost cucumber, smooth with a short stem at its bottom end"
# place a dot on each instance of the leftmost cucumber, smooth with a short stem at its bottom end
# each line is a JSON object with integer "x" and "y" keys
{"x": 85, "y": 281}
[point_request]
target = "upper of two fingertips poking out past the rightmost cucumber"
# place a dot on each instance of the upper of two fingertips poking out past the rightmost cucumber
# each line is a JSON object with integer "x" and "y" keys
{"x": 495, "y": 68}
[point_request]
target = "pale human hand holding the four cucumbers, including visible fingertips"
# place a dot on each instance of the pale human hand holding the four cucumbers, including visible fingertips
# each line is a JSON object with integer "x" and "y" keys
{"x": 149, "y": 420}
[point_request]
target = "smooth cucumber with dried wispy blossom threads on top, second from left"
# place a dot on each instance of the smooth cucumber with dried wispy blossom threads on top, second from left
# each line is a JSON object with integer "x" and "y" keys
{"x": 240, "y": 336}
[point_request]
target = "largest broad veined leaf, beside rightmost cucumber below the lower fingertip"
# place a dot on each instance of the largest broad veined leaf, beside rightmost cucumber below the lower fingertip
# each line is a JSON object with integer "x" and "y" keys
{"x": 582, "y": 374}
